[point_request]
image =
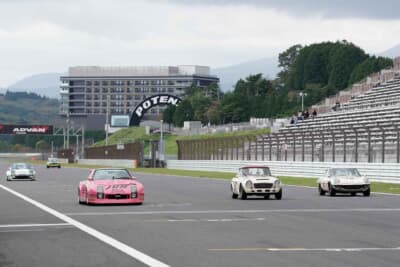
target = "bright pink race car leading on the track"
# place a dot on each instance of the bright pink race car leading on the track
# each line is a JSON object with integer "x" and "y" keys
{"x": 110, "y": 186}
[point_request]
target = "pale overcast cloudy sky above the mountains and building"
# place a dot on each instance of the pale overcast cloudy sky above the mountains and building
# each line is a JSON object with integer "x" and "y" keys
{"x": 39, "y": 36}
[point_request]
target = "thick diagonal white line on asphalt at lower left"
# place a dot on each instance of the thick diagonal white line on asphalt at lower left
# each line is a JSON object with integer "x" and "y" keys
{"x": 93, "y": 232}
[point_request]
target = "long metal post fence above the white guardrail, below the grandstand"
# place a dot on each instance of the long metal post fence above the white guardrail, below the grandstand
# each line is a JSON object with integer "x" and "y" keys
{"x": 356, "y": 144}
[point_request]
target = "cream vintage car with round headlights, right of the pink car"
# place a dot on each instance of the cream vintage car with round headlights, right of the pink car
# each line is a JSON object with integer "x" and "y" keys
{"x": 255, "y": 180}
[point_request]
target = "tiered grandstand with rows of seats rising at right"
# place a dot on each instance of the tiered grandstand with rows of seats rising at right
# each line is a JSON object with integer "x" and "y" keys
{"x": 364, "y": 129}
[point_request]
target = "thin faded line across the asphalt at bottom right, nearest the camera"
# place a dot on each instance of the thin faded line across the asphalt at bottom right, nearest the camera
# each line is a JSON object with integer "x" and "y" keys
{"x": 305, "y": 249}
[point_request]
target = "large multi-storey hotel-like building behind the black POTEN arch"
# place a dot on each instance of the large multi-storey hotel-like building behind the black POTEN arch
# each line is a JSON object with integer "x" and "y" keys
{"x": 86, "y": 90}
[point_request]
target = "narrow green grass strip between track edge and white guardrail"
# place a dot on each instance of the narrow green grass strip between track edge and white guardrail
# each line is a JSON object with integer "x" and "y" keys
{"x": 300, "y": 181}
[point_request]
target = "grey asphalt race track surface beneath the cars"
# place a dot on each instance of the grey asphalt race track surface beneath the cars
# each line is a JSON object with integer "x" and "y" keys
{"x": 193, "y": 222}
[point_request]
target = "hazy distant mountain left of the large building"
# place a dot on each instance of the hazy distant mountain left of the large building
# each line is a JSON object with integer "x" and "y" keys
{"x": 45, "y": 84}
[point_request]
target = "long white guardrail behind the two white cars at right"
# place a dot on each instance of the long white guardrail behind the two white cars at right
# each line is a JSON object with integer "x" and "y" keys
{"x": 381, "y": 172}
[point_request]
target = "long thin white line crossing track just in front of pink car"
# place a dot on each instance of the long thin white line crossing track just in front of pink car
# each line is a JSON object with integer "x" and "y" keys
{"x": 231, "y": 211}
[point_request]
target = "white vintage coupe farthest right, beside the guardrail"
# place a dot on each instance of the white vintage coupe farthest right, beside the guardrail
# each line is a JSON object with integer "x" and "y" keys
{"x": 343, "y": 180}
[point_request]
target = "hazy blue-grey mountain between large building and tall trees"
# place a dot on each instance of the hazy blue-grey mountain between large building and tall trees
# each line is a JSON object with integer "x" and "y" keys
{"x": 231, "y": 74}
